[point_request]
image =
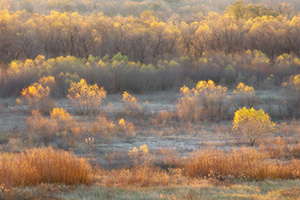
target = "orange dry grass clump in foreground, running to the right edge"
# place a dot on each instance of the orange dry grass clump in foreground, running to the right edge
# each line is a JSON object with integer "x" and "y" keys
{"x": 244, "y": 163}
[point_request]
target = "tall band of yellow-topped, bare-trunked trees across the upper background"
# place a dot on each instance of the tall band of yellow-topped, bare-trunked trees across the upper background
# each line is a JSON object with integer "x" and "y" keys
{"x": 147, "y": 38}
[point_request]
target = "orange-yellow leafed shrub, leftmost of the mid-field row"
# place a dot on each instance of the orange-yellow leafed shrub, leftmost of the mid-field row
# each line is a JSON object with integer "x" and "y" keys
{"x": 38, "y": 95}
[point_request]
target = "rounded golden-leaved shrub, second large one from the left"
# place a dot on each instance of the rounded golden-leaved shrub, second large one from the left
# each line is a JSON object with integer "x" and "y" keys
{"x": 86, "y": 99}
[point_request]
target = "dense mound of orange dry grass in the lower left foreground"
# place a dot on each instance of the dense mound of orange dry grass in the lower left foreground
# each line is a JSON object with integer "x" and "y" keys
{"x": 43, "y": 165}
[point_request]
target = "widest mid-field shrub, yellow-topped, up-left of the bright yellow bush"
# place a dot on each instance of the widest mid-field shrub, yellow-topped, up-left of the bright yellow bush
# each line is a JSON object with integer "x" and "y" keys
{"x": 206, "y": 101}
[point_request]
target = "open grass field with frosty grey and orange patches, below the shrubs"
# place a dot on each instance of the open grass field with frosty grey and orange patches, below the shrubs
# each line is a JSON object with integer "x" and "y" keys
{"x": 148, "y": 155}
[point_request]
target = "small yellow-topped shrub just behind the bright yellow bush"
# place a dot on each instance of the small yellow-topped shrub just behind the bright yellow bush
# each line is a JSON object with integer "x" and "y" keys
{"x": 246, "y": 96}
